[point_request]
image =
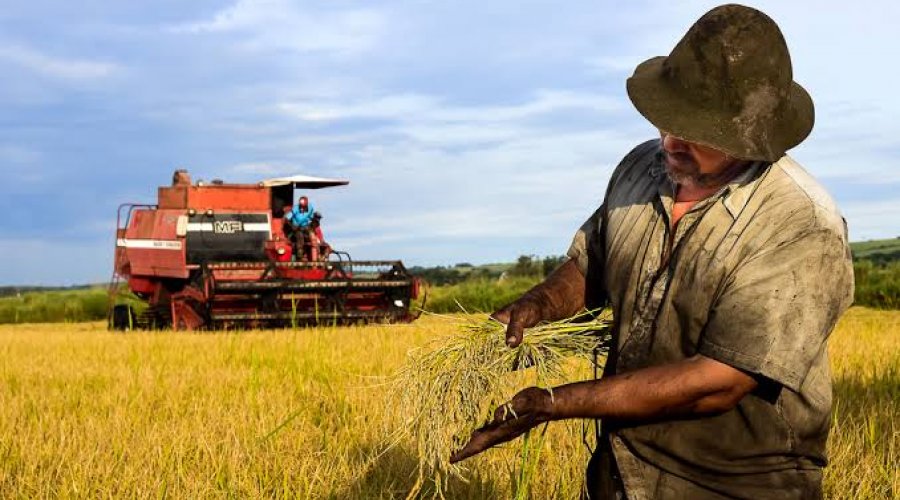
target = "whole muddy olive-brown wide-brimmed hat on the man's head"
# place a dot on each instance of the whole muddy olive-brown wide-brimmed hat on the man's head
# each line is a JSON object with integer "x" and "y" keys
{"x": 728, "y": 84}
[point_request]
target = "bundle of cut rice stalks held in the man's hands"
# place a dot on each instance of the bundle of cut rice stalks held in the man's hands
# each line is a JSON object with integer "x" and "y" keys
{"x": 452, "y": 386}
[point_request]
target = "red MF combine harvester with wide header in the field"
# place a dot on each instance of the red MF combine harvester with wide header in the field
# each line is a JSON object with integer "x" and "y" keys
{"x": 219, "y": 255}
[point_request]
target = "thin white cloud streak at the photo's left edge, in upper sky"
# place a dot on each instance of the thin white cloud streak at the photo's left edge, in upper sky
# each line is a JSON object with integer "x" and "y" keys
{"x": 56, "y": 67}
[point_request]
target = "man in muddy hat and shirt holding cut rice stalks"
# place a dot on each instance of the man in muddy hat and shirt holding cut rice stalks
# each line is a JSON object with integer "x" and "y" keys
{"x": 726, "y": 266}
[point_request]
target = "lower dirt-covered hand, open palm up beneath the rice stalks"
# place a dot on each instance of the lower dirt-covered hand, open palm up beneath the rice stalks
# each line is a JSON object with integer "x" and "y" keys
{"x": 527, "y": 409}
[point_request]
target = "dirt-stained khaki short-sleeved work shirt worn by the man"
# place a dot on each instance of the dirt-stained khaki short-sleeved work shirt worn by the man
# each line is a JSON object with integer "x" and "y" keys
{"x": 756, "y": 277}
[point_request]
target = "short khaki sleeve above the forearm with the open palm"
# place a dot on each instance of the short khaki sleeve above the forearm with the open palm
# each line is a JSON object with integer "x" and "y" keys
{"x": 778, "y": 308}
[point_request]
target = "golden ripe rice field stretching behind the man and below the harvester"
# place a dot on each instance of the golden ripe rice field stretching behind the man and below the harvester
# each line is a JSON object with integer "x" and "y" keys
{"x": 85, "y": 413}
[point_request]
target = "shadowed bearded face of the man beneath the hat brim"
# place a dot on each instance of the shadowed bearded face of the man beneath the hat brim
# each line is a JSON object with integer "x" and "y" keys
{"x": 692, "y": 164}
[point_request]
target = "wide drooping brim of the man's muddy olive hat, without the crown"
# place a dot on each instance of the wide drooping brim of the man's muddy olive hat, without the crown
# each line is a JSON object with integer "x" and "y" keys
{"x": 765, "y": 139}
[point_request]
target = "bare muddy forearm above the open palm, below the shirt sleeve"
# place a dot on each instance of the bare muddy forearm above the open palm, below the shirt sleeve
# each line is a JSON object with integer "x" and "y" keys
{"x": 694, "y": 387}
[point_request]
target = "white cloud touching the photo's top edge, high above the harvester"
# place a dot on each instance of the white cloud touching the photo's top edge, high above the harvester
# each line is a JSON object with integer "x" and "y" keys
{"x": 281, "y": 25}
